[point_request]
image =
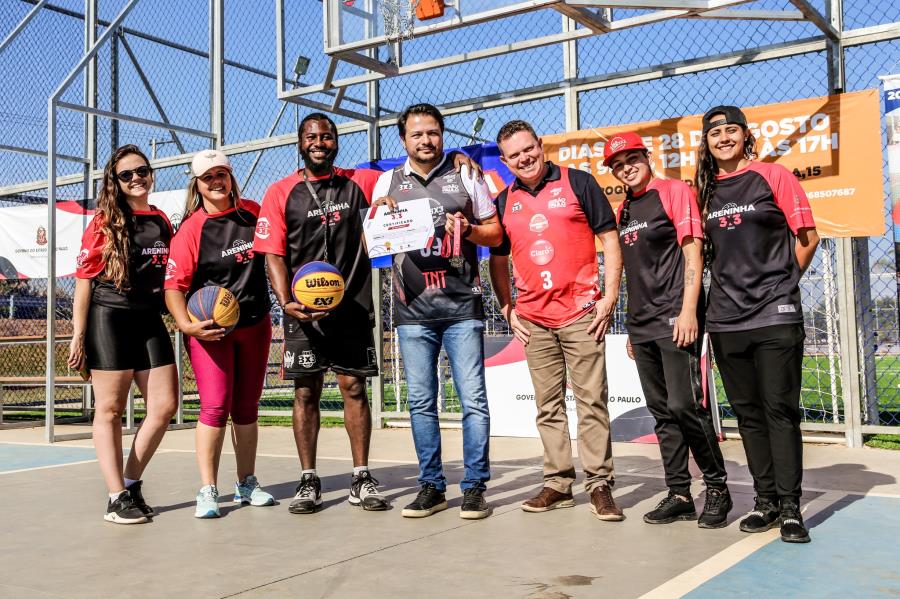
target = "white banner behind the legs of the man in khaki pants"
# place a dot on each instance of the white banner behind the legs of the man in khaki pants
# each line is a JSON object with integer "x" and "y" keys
{"x": 511, "y": 395}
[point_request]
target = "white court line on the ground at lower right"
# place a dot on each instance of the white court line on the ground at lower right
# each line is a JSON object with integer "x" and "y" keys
{"x": 690, "y": 579}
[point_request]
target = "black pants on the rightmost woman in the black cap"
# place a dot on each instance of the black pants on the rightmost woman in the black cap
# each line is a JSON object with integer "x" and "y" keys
{"x": 761, "y": 372}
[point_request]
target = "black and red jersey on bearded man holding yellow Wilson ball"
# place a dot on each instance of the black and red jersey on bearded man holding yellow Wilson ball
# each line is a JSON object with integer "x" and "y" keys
{"x": 292, "y": 224}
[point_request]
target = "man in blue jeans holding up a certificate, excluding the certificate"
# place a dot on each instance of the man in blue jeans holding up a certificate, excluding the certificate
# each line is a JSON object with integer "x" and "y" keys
{"x": 438, "y": 303}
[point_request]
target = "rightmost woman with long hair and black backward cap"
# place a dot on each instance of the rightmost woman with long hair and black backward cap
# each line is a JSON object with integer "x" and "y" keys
{"x": 761, "y": 238}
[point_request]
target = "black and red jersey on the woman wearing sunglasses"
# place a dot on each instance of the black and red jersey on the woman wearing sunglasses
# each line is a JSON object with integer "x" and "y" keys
{"x": 150, "y": 235}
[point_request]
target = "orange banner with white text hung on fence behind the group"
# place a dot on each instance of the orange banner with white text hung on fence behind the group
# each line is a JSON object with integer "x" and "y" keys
{"x": 831, "y": 144}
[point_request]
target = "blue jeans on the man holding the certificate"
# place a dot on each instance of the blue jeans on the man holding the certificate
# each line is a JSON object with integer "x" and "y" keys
{"x": 420, "y": 346}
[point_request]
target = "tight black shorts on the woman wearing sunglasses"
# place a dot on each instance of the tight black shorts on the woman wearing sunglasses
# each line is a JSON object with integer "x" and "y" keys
{"x": 121, "y": 339}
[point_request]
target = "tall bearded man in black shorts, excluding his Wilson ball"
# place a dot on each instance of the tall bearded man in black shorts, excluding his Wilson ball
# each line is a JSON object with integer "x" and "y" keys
{"x": 314, "y": 214}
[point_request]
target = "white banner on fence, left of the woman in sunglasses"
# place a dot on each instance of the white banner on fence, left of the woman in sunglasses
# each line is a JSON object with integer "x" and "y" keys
{"x": 23, "y": 235}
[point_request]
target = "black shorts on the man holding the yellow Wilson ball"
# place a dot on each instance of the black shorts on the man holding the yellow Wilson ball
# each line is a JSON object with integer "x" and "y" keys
{"x": 344, "y": 345}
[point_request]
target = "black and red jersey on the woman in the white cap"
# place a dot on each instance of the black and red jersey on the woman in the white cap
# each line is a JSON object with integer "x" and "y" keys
{"x": 217, "y": 249}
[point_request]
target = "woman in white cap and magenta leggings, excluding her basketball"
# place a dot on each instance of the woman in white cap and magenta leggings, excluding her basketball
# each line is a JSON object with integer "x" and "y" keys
{"x": 214, "y": 246}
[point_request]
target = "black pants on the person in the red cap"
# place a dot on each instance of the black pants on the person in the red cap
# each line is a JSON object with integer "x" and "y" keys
{"x": 670, "y": 378}
